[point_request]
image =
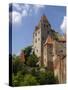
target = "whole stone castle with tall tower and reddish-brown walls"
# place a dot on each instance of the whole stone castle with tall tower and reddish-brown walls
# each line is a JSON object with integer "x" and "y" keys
{"x": 50, "y": 48}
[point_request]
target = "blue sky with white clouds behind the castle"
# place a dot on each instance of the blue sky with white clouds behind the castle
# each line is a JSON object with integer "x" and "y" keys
{"x": 24, "y": 18}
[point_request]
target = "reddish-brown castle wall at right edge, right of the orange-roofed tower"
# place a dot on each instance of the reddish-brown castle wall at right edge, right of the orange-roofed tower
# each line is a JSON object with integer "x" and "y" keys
{"x": 59, "y": 60}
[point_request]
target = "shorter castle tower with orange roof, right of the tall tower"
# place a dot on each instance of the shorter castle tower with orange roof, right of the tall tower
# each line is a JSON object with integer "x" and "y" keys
{"x": 48, "y": 53}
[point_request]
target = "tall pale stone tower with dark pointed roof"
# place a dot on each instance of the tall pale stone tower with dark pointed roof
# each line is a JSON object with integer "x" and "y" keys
{"x": 40, "y": 34}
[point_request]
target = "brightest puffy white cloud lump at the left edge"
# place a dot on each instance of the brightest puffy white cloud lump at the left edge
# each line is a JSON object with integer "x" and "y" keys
{"x": 16, "y": 17}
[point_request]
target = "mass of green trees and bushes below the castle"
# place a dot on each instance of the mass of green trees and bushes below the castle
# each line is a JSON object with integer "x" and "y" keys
{"x": 28, "y": 73}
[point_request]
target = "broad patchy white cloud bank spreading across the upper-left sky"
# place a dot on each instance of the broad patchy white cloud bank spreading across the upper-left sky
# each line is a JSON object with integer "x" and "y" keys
{"x": 22, "y": 10}
